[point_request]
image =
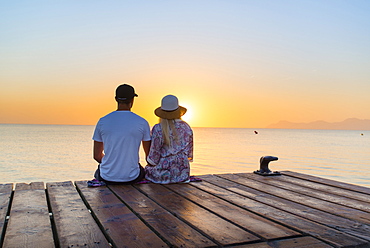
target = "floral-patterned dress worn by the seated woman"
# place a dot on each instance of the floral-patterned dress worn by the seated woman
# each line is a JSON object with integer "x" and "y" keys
{"x": 171, "y": 163}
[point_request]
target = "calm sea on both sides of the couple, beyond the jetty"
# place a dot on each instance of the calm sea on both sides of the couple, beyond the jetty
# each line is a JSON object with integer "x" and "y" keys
{"x": 52, "y": 153}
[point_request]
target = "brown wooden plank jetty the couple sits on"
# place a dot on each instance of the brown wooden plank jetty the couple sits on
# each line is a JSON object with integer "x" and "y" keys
{"x": 225, "y": 210}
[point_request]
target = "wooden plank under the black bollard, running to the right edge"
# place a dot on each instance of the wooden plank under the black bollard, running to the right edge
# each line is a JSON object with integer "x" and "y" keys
{"x": 323, "y": 195}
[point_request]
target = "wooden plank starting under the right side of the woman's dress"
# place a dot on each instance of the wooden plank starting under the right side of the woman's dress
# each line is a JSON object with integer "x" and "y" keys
{"x": 255, "y": 224}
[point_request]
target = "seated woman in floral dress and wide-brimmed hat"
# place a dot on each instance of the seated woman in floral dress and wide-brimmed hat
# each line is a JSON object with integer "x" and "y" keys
{"x": 172, "y": 145}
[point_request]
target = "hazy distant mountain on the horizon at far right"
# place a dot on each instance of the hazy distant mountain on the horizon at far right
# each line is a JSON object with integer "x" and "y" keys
{"x": 348, "y": 124}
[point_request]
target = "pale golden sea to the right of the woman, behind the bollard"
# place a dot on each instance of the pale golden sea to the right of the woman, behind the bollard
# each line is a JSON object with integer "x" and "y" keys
{"x": 341, "y": 155}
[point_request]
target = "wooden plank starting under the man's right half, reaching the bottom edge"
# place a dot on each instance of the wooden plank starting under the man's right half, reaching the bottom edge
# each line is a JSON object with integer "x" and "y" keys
{"x": 176, "y": 232}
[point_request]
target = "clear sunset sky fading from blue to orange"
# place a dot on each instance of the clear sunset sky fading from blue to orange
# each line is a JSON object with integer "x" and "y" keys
{"x": 234, "y": 63}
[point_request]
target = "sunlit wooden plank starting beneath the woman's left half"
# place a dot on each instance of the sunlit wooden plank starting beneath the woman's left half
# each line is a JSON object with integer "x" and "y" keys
{"x": 222, "y": 231}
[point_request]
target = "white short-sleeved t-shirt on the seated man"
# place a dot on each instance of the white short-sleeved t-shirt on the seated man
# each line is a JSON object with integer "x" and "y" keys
{"x": 121, "y": 133}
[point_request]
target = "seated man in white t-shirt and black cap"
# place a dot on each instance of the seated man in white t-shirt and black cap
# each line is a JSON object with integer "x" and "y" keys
{"x": 117, "y": 139}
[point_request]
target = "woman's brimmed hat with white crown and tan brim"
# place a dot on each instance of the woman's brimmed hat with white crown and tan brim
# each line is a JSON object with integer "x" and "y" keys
{"x": 170, "y": 108}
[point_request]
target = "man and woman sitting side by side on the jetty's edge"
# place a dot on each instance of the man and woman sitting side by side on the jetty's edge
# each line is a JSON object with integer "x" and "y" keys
{"x": 117, "y": 137}
